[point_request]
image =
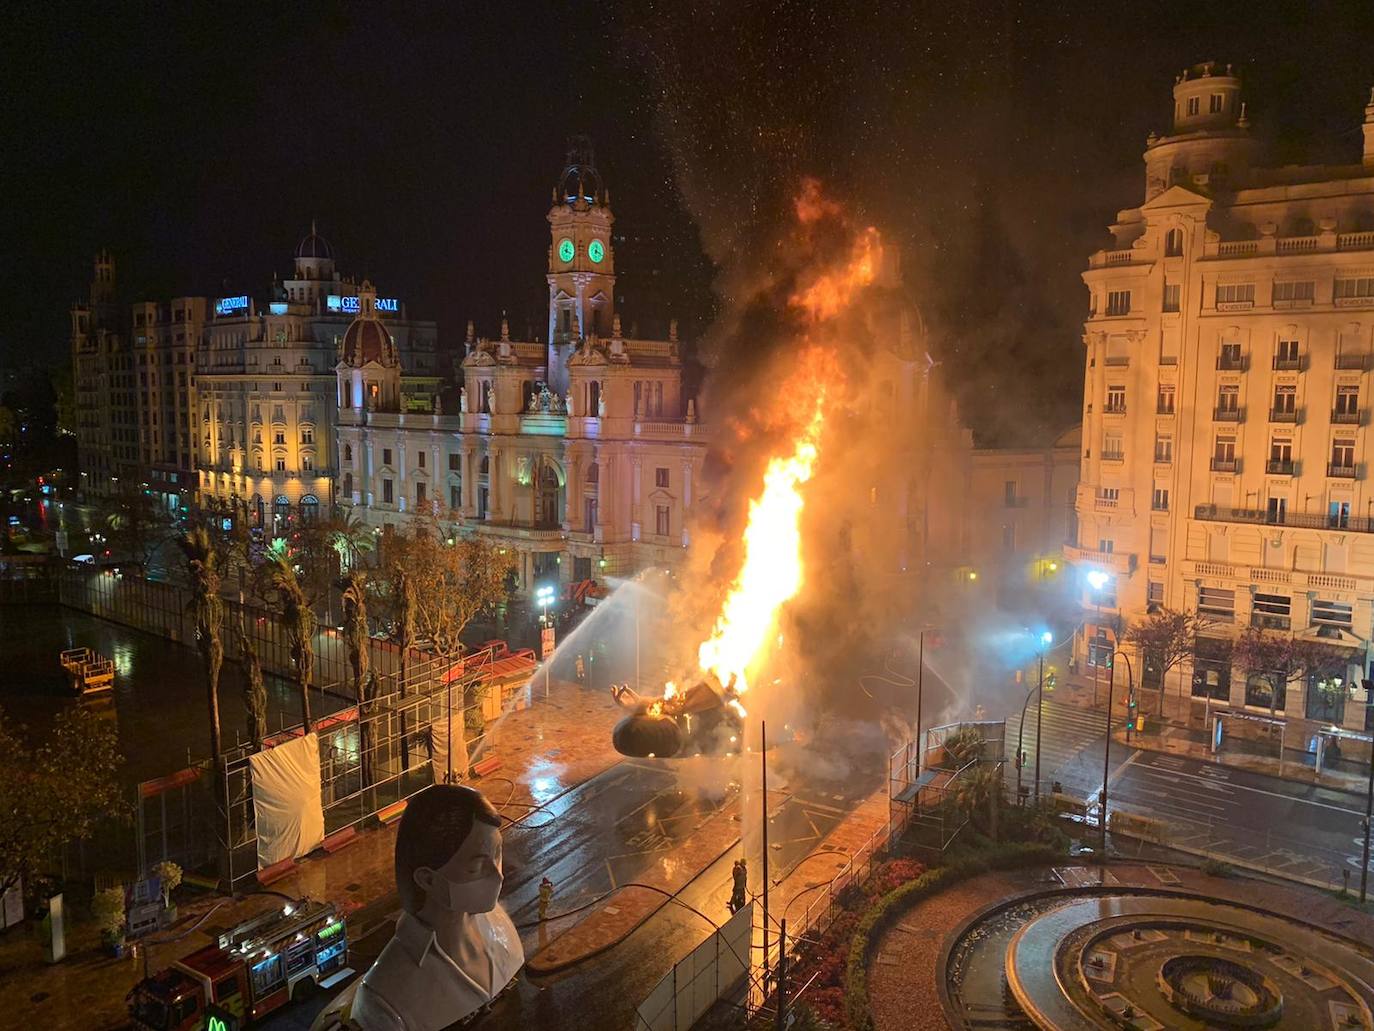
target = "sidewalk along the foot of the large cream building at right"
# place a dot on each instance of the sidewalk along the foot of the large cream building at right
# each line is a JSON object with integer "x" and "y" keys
{"x": 1178, "y": 738}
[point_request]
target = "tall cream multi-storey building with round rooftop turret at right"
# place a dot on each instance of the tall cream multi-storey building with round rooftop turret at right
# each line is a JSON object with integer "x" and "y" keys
{"x": 1226, "y": 413}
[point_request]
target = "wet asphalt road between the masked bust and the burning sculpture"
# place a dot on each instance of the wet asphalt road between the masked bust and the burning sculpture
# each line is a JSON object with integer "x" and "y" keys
{"x": 615, "y": 830}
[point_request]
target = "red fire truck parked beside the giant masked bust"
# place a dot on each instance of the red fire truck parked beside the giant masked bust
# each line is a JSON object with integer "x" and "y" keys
{"x": 251, "y": 971}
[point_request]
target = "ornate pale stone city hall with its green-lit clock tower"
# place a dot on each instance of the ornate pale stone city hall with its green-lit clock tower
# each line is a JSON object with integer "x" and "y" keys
{"x": 581, "y": 453}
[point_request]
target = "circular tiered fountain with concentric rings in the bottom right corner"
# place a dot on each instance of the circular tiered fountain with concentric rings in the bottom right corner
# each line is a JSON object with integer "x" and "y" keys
{"x": 1151, "y": 960}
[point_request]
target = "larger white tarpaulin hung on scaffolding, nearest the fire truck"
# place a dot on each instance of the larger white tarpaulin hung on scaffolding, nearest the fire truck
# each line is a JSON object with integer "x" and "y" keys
{"x": 286, "y": 801}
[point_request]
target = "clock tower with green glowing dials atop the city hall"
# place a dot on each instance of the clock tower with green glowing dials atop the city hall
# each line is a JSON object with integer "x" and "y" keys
{"x": 582, "y": 259}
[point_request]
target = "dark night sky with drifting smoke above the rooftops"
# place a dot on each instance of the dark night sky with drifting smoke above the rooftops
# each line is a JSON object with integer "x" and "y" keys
{"x": 994, "y": 142}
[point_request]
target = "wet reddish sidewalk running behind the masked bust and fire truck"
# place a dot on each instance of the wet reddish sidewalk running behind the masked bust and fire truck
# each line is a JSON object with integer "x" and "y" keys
{"x": 546, "y": 750}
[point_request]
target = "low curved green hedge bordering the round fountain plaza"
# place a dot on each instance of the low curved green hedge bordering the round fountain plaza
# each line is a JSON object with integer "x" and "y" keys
{"x": 886, "y": 912}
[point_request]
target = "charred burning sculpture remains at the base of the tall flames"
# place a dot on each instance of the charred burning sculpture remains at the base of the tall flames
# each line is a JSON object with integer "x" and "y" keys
{"x": 706, "y": 718}
